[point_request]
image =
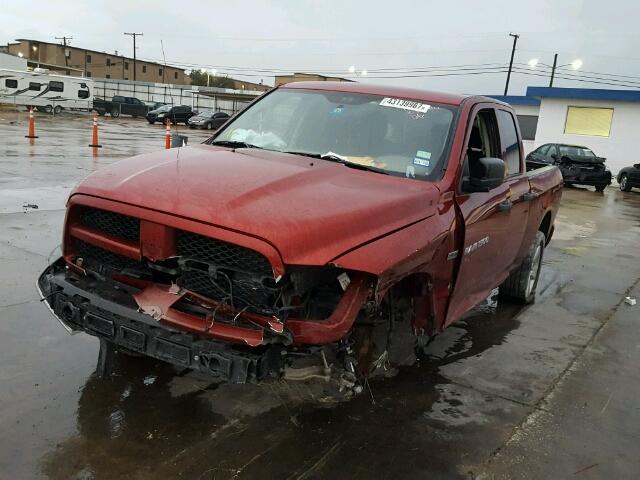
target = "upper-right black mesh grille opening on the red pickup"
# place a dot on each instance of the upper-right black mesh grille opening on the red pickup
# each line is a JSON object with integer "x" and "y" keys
{"x": 222, "y": 254}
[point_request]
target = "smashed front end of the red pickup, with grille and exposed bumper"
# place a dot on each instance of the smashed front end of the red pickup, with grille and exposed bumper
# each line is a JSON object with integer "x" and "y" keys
{"x": 149, "y": 285}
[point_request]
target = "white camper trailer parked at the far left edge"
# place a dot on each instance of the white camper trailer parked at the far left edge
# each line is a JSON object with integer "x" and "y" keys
{"x": 46, "y": 92}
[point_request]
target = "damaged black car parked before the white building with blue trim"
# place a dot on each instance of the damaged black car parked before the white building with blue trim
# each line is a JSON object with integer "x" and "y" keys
{"x": 578, "y": 164}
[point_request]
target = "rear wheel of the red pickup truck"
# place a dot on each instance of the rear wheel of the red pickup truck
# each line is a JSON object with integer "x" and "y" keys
{"x": 521, "y": 285}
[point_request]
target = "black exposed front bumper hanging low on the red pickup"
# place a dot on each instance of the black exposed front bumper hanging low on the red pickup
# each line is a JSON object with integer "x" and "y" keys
{"x": 110, "y": 313}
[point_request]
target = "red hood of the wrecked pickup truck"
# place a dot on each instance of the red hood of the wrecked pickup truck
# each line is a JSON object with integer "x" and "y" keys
{"x": 311, "y": 210}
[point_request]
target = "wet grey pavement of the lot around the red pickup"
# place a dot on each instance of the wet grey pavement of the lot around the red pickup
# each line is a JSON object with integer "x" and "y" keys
{"x": 546, "y": 391}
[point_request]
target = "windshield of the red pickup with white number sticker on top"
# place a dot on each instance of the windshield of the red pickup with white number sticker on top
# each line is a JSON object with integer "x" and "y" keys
{"x": 391, "y": 135}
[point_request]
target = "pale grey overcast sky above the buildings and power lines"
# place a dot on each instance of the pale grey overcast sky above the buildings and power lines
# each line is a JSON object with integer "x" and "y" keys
{"x": 331, "y": 35}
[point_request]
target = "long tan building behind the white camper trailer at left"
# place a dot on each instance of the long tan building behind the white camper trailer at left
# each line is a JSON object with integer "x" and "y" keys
{"x": 71, "y": 60}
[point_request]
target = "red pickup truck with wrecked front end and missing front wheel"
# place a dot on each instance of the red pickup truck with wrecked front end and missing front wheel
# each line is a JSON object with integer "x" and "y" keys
{"x": 321, "y": 207}
